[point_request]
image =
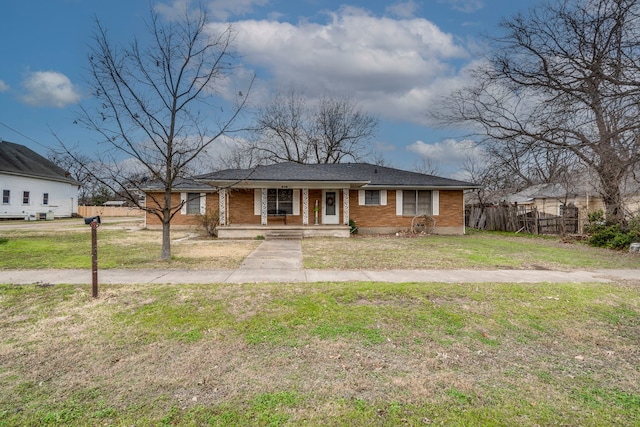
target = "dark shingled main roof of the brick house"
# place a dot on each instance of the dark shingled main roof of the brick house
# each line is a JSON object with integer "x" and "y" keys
{"x": 363, "y": 173}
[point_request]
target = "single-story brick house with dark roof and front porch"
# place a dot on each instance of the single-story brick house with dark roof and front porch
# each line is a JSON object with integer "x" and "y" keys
{"x": 321, "y": 199}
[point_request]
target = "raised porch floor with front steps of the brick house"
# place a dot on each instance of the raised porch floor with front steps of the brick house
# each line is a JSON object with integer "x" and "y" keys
{"x": 246, "y": 231}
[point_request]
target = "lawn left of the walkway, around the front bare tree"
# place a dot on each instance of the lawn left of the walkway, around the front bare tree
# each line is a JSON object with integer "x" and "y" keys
{"x": 117, "y": 248}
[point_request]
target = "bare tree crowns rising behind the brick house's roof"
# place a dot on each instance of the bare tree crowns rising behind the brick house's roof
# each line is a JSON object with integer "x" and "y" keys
{"x": 288, "y": 128}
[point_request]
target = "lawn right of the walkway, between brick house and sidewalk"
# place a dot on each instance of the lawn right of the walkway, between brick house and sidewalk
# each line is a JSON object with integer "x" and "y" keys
{"x": 478, "y": 250}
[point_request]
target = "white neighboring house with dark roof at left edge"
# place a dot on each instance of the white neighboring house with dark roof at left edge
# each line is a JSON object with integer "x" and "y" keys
{"x": 33, "y": 187}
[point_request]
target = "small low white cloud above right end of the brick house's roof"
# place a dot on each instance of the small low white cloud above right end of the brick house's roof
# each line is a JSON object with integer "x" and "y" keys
{"x": 447, "y": 153}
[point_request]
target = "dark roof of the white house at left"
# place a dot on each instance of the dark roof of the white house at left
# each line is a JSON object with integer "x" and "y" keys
{"x": 19, "y": 160}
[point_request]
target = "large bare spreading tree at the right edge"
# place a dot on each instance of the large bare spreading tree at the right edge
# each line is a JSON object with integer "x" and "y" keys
{"x": 564, "y": 77}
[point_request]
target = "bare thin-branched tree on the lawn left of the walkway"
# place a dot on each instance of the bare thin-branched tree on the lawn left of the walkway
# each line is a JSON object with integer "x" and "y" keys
{"x": 154, "y": 107}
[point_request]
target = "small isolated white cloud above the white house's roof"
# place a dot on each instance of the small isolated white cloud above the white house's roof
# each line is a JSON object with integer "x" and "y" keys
{"x": 49, "y": 89}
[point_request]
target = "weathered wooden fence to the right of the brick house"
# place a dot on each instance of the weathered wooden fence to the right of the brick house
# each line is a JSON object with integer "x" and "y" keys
{"x": 525, "y": 219}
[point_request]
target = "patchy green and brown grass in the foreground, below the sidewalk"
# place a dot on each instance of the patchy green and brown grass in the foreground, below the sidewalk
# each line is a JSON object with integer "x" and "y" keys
{"x": 348, "y": 354}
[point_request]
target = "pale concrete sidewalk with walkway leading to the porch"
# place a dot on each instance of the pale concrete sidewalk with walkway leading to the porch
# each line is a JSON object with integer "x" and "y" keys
{"x": 281, "y": 261}
